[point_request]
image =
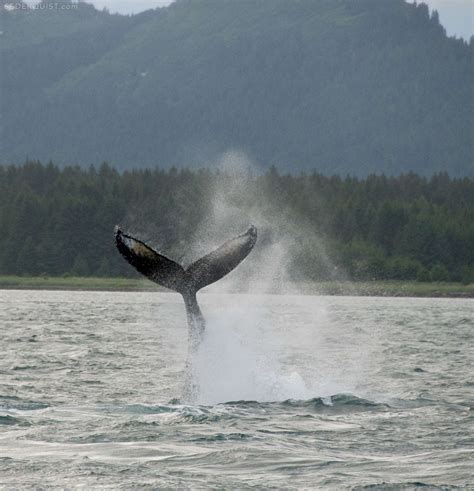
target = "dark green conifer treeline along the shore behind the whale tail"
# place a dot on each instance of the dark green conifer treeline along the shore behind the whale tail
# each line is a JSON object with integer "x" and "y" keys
{"x": 59, "y": 221}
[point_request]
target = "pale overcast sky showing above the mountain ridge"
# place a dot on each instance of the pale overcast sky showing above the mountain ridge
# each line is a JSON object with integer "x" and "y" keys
{"x": 457, "y": 16}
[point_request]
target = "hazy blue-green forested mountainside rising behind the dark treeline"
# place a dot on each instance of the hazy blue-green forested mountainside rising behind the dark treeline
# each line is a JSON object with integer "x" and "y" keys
{"x": 340, "y": 86}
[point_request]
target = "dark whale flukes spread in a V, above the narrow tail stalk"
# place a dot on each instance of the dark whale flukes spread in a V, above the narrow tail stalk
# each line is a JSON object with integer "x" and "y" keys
{"x": 187, "y": 281}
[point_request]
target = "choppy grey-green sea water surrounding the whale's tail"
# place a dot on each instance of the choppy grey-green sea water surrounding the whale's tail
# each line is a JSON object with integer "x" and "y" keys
{"x": 295, "y": 392}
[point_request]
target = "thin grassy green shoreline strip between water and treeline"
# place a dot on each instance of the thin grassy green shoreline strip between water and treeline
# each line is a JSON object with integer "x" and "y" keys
{"x": 357, "y": 288}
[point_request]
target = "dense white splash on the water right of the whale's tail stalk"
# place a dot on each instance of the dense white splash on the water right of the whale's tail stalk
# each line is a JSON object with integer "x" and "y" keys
{"x": 238, "y": 360}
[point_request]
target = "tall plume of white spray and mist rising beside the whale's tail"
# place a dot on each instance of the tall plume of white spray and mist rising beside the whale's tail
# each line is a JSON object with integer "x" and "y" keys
{"x": 238, "y": 358}
